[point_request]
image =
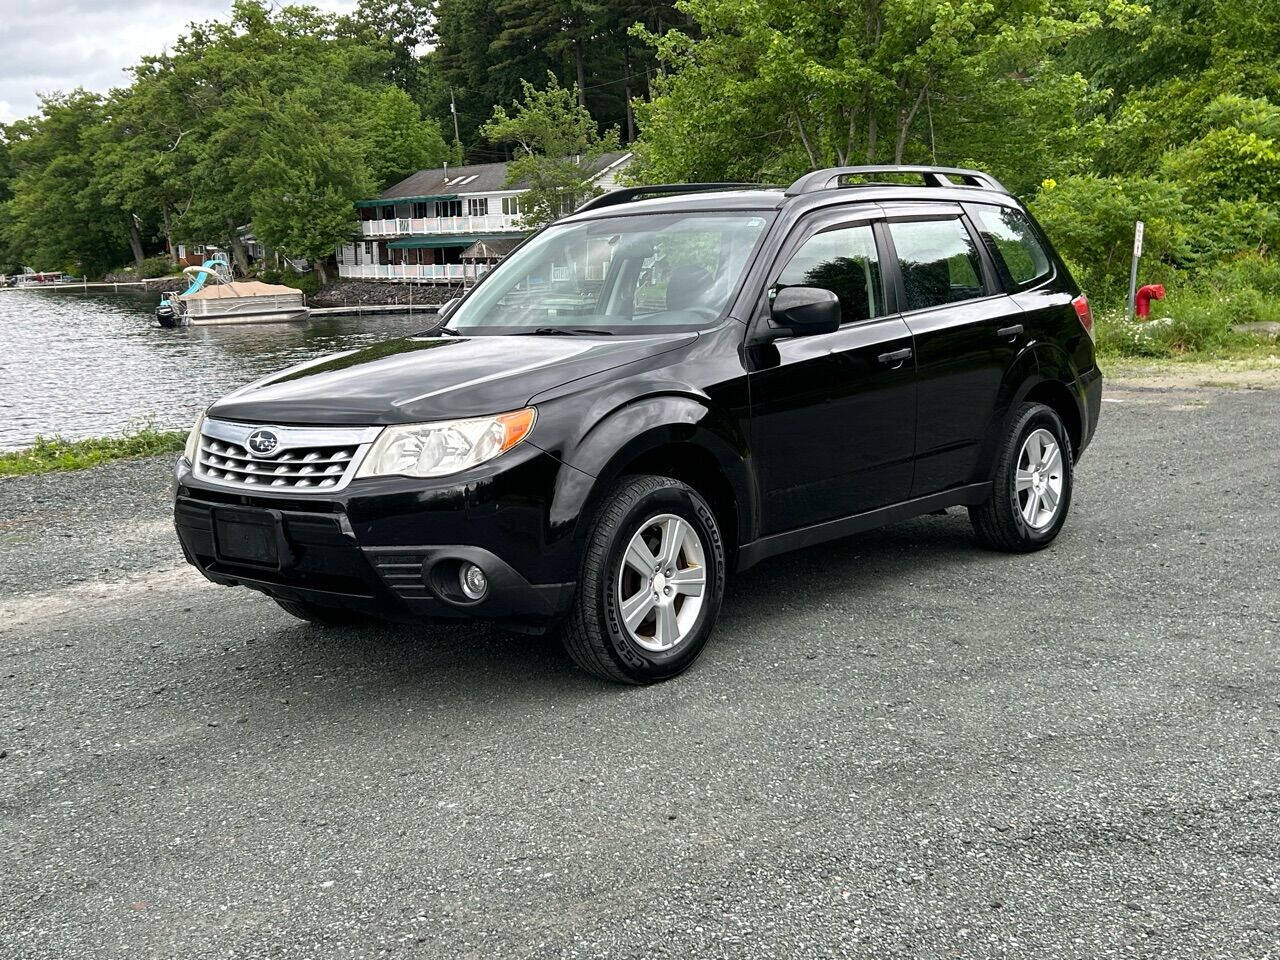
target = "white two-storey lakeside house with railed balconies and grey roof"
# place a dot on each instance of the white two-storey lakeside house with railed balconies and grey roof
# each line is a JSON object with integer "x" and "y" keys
{"x": 446, "y": 225}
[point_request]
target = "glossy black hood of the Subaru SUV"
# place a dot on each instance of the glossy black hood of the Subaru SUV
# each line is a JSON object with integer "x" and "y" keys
{"x": 432, "y": 378}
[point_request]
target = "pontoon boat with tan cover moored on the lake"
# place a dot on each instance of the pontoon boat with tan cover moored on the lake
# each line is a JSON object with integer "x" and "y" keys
{"x": 214, "y": 298}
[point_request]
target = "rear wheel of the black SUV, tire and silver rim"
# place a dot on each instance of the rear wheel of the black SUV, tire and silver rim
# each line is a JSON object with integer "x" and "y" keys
{"x": 1007, "y": 522}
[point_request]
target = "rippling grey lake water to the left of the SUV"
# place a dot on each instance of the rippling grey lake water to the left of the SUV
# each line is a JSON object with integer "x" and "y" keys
{"x": 90, "y": 365}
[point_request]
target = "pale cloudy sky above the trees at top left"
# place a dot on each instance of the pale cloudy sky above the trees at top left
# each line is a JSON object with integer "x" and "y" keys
{"x": 58, "y": 45}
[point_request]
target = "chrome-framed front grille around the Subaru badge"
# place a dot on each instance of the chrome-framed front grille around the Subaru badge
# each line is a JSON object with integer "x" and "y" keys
{"x": 303, "y": 459}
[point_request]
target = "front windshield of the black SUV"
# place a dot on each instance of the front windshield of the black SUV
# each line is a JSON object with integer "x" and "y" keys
{"x": 650, "y": 273}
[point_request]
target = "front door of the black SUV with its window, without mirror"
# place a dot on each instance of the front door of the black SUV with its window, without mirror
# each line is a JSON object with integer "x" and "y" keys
{"x": 834, "y": 415}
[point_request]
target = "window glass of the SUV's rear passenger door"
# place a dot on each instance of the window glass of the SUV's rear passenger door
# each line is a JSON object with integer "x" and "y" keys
{"x": 939, "y": 262}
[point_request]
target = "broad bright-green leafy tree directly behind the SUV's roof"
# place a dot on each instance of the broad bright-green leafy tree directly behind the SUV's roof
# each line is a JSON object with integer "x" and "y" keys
{"x": 776, "y": 88}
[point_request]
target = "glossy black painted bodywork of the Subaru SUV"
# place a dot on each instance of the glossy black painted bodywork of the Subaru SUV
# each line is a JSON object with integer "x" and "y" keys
{"x": 812, "y": 437}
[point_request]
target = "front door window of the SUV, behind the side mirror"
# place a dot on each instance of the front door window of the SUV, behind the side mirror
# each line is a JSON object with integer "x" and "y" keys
{"x": 845, "y": 263}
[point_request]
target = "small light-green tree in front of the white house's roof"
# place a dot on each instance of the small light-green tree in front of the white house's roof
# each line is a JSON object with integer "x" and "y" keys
{"x": 556, "y": 145}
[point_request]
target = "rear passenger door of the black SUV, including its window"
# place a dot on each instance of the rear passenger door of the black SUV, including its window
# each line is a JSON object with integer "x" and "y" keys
{"x": 967, "y": 333}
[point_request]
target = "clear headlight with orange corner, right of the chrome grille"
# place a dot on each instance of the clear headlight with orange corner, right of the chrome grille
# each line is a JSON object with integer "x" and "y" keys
{"x": 445, "y": 447}
